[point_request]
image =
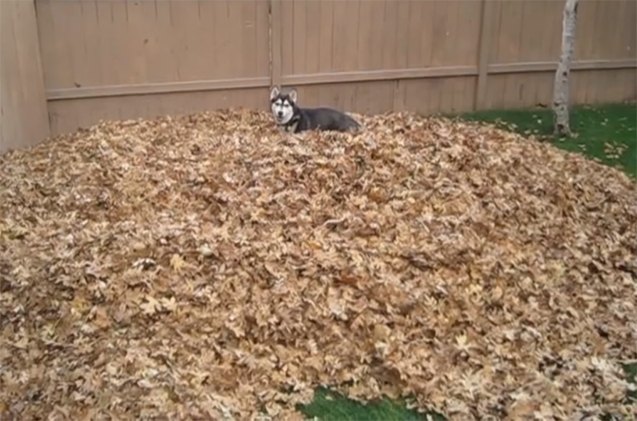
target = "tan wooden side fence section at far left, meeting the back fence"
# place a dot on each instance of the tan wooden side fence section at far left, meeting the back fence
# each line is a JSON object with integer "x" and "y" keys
{"x": 24, "y": 119}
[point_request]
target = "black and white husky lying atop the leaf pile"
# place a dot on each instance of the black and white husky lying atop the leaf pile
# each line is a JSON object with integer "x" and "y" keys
{"x": 292, "y": 118}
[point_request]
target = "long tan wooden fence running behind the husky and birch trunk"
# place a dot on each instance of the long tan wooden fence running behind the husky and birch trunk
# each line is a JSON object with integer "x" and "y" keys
{"x": 111, "y": 59}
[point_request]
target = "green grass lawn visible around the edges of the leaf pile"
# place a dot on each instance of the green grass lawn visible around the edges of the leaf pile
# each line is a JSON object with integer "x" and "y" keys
{"x": 606, "y": 133}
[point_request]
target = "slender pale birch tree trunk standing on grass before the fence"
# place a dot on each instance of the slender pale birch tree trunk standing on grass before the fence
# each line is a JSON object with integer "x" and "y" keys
{"x": 561, "y": 86}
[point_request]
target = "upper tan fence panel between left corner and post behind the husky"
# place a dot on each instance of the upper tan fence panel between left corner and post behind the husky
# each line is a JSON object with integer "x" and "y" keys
{"x": 93, "y": 43}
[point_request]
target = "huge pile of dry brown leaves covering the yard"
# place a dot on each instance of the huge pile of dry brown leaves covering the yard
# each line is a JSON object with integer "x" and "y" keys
{"x": 208, "y": 266}
